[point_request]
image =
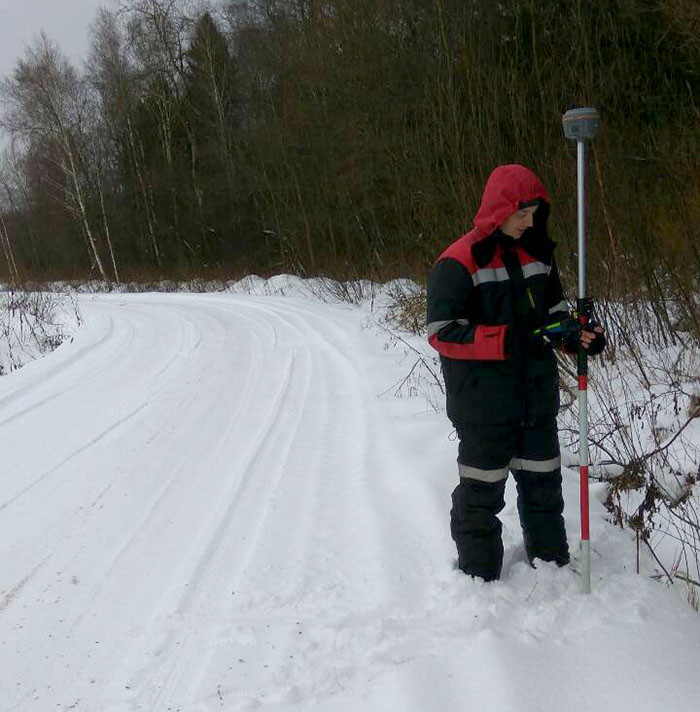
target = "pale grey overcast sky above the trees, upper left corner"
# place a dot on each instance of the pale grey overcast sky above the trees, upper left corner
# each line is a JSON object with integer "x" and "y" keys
{"x": 64, "y": 21}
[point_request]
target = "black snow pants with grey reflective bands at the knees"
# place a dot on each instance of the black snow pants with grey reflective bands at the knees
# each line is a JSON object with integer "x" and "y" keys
{"x": 486, "y": 454}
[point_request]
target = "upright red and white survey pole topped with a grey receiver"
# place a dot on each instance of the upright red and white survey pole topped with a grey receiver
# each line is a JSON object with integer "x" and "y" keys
{"x": 582, "y": 125}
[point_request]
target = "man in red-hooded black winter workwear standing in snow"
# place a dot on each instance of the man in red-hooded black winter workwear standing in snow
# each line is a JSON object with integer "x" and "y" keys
{"x": 487, "y": 295}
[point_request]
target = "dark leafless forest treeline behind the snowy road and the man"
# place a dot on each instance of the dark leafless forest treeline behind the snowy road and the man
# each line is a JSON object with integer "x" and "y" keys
{"x": 348, "y": 137}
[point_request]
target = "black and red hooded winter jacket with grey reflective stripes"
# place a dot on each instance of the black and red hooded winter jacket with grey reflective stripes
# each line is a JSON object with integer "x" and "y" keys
{"x": 487, "y": 293}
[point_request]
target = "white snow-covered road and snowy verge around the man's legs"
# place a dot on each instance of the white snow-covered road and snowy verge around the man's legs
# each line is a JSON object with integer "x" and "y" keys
{"x": 205, "y": 504}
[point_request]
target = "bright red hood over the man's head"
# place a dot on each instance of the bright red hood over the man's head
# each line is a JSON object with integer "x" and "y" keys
{"x": 506, "y": 187}
